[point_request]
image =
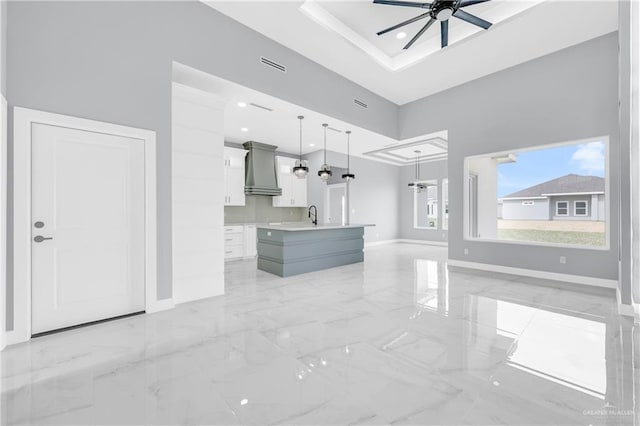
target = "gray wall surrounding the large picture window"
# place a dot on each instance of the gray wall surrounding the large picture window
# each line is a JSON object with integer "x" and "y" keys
{"x": 568, "y": 95}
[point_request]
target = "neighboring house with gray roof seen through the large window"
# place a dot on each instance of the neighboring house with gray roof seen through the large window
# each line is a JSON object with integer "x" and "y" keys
{"x": 570, "y": 197}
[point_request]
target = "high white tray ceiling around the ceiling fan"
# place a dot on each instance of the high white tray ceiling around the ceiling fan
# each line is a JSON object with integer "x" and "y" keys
{"x": 340, "y": 35}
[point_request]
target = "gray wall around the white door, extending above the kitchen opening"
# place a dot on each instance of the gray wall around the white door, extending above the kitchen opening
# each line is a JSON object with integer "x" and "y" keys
{"x": 112, "y": 61}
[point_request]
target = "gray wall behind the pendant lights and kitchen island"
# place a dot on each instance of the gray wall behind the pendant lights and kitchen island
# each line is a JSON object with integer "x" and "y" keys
{"x": 374, "y": 193}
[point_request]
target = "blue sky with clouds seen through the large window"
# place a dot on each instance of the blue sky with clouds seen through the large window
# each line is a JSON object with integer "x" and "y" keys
{"x": 534, "y": 167}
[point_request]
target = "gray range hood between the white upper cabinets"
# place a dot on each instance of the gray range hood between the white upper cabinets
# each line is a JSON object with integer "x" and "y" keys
{"x": 260, "y": 169}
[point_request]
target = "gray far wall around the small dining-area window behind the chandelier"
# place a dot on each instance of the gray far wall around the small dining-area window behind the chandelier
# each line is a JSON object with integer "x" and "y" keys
{"x": 433, "y": 170}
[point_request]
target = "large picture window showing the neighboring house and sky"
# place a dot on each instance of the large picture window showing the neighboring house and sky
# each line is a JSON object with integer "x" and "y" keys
{"x": 509, "y": 197}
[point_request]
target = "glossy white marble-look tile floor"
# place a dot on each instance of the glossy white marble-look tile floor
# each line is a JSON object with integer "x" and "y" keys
{"x": 398, "y": 339}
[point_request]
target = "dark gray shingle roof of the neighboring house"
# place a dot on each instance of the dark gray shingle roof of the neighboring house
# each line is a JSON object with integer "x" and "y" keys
{"x": 568, "y": 184}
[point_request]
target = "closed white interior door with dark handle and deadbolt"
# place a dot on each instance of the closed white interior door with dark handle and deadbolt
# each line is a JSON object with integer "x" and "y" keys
{"x": 87, "y": 242}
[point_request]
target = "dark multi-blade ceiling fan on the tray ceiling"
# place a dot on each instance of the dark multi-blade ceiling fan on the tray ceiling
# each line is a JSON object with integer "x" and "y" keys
{"x": 439, "y": 10}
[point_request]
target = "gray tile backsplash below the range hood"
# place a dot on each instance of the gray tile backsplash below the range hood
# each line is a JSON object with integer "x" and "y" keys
{"x": 259, "y": 209}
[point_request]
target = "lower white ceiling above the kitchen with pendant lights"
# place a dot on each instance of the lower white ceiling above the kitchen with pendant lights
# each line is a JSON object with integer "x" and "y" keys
{"x": 280, "y": 126}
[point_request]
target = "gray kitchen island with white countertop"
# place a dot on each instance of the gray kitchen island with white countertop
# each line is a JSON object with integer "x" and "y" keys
{"x": 296, "y": 248}
